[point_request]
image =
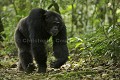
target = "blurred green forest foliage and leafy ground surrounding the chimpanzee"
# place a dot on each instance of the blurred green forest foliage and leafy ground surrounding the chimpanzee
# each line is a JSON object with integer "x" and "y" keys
{"x": 93, "y": 29}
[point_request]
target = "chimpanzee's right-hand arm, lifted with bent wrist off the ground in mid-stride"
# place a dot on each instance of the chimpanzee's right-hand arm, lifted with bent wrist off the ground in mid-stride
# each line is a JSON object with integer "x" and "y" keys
{"x": 60, "y": 48}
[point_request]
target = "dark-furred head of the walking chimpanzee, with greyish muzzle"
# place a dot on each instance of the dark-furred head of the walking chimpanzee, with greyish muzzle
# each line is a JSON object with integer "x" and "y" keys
{"x": 54, "y": 23}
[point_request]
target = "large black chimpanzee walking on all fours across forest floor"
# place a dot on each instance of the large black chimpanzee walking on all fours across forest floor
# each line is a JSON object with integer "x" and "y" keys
{"x": 31, "y": 35}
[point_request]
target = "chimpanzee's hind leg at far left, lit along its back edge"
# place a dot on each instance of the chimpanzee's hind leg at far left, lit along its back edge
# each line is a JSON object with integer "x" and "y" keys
{"x": 24, "y": 54}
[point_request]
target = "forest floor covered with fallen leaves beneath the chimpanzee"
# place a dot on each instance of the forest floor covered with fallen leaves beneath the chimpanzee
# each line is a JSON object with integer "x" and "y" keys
{"x": 77, "y": 68}
